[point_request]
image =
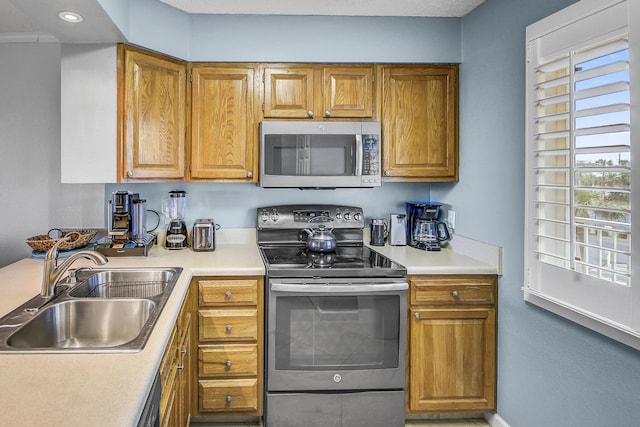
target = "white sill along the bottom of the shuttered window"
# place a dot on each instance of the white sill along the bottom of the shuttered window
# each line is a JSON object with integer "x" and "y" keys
{"x": 610, "y": 329}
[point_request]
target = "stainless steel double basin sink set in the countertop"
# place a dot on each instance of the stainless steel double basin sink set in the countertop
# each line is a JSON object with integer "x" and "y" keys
{"x": 101, "y": 310}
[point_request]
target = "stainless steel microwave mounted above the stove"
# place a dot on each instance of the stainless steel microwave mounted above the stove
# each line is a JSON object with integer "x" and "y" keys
{"x": 319, "y": 154}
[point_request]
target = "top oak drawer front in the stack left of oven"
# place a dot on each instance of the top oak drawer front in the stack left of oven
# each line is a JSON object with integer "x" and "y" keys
{"x": 228, "y": 292}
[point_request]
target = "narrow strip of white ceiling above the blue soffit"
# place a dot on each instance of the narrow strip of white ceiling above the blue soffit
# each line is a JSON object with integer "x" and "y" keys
{"x": 433, "y": 8}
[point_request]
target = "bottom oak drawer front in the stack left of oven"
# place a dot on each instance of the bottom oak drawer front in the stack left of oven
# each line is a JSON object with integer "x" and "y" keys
{"x": 228, "y": 395}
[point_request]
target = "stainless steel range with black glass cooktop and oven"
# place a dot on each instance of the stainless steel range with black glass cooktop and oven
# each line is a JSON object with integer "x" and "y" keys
{"x": 335, "y": 323}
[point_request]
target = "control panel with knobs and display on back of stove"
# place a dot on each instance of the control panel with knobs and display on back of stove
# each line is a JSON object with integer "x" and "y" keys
{"x": 305, "y": 216}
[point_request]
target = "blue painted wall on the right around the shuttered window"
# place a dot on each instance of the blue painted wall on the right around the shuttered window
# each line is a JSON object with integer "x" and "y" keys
{"x": 550, "y": 372}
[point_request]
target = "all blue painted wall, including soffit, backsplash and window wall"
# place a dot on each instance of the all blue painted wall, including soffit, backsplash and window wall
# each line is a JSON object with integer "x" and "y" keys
{"x": 550, "y": 372}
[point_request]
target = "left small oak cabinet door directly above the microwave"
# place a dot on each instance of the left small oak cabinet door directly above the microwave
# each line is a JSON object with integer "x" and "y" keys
{"x": 288, "y": 92}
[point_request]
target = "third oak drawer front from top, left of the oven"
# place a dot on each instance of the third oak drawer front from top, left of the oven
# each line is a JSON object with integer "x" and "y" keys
{"x": 229, "y": 360}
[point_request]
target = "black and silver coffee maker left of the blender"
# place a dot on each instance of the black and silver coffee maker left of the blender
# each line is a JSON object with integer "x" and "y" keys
{"x": 126, "y": 226}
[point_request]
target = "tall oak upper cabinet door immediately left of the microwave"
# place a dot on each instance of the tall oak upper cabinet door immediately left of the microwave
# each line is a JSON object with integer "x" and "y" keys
{"x": 224, "y": 140}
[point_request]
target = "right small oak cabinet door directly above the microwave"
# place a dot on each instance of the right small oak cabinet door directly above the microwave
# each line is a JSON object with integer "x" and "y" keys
{"x": 348, "y": 92}
